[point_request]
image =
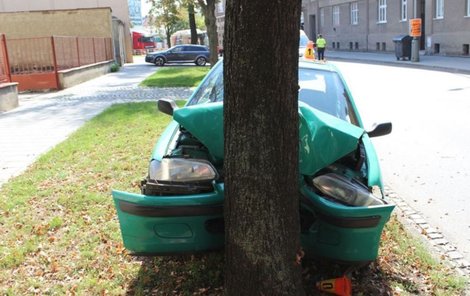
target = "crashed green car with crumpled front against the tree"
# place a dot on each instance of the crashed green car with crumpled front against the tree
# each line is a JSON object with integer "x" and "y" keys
{"x": 180, "y": 207}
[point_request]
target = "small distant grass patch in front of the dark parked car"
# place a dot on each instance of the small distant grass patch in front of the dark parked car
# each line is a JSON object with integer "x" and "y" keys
{"x": 176, "y": 77}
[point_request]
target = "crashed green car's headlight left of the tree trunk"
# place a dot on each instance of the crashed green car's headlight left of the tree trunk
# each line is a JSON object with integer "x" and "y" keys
{"x": 181, "y": 170}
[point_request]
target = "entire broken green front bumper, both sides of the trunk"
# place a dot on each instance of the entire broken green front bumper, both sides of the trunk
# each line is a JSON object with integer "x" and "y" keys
{"x": 165, "y": 225}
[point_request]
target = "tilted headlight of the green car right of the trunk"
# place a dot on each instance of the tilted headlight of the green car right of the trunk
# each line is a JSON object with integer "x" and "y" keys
{"x": 345, "y": 191}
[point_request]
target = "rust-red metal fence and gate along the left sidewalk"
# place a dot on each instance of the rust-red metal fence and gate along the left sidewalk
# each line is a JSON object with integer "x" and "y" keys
{"x": 35, "y": 62}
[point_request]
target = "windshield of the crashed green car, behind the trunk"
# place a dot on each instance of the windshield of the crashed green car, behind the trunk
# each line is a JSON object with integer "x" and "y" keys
{"x": 320, "y": 89}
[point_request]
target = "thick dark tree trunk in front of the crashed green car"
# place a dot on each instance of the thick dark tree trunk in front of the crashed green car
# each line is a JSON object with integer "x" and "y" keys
{"x": 261, "y": 130}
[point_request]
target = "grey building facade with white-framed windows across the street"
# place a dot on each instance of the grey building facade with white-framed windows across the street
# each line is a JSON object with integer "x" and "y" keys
{"x": 371, "y": 25}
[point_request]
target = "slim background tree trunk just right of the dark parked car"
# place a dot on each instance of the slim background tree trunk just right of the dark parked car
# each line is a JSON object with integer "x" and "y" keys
{"x": 208, "y": 10}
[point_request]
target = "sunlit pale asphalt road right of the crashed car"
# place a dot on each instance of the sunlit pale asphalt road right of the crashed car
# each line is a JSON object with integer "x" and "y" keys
{"x": 425, "y": 159}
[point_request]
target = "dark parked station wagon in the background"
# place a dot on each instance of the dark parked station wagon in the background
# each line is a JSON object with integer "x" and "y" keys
{"x": 186, "y": 53}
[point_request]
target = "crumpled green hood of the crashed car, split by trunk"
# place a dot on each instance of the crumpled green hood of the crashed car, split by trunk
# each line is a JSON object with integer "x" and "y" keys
{"x": 323, "y": 137}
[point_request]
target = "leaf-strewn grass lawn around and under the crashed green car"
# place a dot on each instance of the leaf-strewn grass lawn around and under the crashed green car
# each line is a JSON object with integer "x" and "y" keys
{"x": 60, "y": 235}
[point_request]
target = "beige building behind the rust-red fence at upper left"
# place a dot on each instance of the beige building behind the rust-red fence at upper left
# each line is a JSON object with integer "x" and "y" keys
{"x": 72, "y": 26}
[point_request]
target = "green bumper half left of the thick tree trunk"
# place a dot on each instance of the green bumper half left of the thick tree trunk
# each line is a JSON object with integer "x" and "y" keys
{"x": 159, "y": 225}
